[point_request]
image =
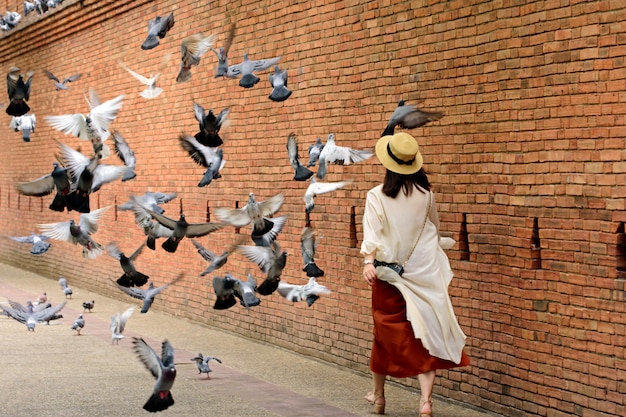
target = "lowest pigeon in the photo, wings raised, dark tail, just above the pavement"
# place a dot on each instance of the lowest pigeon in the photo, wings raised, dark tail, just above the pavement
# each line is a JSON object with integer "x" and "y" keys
{"x": 162, "y": 369}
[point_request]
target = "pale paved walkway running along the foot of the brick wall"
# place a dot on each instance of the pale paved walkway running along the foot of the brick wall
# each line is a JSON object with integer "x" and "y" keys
{"x": 53, "y": 372}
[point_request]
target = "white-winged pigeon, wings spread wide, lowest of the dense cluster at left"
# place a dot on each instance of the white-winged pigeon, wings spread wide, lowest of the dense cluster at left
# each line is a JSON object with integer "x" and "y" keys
{"x": 79, "y": 233}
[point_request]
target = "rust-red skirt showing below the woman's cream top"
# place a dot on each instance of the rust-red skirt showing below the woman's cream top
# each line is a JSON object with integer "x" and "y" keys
{"x": 396, "y": 351}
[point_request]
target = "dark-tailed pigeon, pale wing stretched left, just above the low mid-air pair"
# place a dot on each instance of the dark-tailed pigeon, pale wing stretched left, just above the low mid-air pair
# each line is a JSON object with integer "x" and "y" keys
{"x": 271, "y": 260}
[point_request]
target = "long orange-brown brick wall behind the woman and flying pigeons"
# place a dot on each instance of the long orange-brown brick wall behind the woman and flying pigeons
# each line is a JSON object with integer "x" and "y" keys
{"x": 533, "y": 94}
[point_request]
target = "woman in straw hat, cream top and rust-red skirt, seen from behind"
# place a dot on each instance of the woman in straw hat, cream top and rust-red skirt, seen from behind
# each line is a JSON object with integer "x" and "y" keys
{"x": 415, "y": 329}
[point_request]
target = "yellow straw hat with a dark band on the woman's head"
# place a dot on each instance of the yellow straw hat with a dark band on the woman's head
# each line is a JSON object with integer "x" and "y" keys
{"x": 399, "y": 153}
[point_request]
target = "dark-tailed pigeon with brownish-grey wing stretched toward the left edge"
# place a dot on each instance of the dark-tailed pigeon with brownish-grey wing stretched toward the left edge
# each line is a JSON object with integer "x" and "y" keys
{"x": 58, "y": 179}
